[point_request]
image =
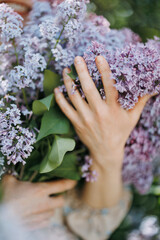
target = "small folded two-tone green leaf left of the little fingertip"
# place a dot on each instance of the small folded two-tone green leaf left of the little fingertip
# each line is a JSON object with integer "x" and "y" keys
{"x": 43, "y": 105}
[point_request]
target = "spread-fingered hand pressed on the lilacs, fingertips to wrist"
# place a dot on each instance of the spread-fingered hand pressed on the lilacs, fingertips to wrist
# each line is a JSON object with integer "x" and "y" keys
{"x": 102, "y": 125}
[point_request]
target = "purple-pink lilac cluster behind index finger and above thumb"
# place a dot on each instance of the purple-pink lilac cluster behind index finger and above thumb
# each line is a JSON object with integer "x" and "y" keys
{"x": 136, "y": 70}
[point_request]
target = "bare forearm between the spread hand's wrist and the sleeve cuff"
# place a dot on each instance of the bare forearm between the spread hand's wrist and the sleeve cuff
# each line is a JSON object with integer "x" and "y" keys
{"x": 108, "y": 189}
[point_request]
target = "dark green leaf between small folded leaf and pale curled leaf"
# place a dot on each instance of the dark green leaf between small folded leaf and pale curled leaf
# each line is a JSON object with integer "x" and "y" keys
{"x": 53, "y": 122}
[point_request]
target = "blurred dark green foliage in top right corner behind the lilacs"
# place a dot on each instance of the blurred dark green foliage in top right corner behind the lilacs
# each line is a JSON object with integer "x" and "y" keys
{"x": 142, "y": 16}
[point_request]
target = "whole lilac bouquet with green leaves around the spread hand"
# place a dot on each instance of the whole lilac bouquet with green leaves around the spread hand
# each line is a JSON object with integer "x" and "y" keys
{"x": 35, "y": 135}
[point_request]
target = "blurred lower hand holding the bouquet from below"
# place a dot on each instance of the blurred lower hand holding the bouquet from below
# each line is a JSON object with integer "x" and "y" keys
{"x": 31, "y": 201}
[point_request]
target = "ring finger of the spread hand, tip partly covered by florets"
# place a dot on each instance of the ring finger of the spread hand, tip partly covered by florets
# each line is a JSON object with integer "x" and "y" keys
{"x": 76, "y": 99}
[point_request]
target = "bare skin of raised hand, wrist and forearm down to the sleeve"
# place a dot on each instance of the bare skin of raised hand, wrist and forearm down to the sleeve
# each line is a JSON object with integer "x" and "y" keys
{"x": 103, "y": 126}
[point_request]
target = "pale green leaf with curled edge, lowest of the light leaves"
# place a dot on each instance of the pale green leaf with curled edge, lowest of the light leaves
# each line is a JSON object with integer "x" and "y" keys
{"x": 58, "y": 150}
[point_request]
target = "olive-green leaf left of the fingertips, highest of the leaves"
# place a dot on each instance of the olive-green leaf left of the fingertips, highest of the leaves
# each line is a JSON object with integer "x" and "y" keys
{"x": 51, "y": 81}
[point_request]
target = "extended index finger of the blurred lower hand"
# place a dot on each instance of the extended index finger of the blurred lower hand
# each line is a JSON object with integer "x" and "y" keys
{"x": 59, "y": 186}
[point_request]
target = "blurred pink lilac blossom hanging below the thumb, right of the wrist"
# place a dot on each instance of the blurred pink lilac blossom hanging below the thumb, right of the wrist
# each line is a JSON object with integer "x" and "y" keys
{"x": 142, "y": 147}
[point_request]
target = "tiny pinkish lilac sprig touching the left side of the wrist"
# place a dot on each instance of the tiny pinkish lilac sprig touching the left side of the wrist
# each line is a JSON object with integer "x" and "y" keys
{"x": 90, "y": 176}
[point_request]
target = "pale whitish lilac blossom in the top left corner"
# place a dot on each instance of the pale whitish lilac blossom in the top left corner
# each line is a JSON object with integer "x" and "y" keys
{"x": 10, "y": 23}
